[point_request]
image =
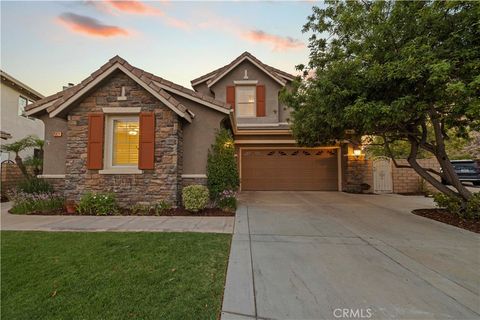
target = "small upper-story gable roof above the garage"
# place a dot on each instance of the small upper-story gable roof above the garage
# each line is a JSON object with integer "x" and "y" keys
{"x": 215, "y": 75}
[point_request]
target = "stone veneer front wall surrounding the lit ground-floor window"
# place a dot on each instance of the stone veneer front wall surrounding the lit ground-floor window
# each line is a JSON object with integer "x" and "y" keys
{"x": 162, "y": 183}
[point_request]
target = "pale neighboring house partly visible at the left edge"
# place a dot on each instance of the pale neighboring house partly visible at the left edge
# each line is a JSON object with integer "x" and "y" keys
{"x": 15, "y": 96}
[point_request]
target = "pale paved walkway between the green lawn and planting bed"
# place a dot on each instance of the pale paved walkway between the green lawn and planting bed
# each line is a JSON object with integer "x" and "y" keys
{"x": 115, "y": 223}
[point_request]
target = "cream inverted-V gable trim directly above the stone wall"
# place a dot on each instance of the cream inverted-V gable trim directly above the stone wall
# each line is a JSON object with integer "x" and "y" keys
{"x": 104, "y": 75}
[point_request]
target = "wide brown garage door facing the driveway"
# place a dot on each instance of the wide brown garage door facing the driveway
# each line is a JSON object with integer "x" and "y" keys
{"x": 289, "y": 169}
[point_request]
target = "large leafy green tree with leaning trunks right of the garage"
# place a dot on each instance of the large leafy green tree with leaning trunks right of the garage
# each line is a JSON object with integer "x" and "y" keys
{"x": 402, "y": 70}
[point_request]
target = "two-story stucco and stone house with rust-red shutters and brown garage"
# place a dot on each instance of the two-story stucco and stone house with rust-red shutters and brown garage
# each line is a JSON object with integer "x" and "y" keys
{"x": 143, "y": 137}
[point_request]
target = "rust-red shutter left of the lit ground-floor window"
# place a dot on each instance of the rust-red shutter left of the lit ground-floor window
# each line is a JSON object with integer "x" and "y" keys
{"x": 95, "y": 141}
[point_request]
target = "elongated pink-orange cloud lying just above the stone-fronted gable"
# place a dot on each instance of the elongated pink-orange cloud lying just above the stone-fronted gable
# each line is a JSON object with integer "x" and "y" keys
{"x": 90, "y": 26}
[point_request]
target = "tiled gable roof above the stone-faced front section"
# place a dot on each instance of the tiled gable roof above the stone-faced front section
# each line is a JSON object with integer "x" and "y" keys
{"x": 157, "y": 86}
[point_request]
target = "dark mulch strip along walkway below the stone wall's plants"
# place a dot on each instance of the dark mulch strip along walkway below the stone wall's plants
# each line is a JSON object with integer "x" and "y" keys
{"x": 177, "y": 212}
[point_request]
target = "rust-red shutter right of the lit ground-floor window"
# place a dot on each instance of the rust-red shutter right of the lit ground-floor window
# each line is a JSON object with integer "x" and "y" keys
{"x": 146, "y": 152}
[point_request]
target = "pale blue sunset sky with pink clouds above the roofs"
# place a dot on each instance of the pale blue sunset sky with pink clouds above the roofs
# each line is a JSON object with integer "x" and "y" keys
{"x": 47, "y": 44}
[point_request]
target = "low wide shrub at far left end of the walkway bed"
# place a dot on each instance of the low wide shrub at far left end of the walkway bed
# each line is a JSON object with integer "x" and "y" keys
{"x": 24, "y": 203}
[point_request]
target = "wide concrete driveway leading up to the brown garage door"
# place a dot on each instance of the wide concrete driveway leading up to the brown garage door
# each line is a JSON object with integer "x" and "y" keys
{"x": 331, "y": 255}
